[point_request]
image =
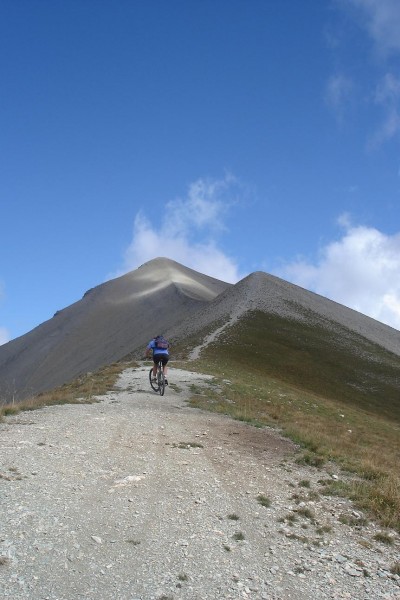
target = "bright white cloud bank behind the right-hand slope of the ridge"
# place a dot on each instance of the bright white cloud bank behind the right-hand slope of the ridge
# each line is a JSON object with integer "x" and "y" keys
{"x": 361, "y": 270}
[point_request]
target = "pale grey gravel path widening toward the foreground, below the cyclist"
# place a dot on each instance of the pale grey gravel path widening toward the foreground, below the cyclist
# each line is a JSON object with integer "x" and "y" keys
{"x": 142, "y": 497}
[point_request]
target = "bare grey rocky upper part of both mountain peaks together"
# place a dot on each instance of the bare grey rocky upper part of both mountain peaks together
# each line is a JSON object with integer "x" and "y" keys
{"x": 119, "y": 317}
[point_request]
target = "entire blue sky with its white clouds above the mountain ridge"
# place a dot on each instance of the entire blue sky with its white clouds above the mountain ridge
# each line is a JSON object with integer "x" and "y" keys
{"x": 230, "y": 135}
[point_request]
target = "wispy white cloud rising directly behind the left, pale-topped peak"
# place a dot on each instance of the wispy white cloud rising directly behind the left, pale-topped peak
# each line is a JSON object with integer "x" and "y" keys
{"x": 188, "y": 231}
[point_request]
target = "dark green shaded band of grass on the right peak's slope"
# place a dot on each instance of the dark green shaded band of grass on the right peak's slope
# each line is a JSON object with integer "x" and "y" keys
{"x": 342, "y": 366}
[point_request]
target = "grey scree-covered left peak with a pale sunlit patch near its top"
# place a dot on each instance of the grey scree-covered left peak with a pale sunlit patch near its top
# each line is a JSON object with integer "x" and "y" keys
{"x": 109, "y": 322}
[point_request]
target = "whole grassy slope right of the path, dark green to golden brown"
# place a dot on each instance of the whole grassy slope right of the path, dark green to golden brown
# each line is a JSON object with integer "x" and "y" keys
{"x": 329, "y": 389}
